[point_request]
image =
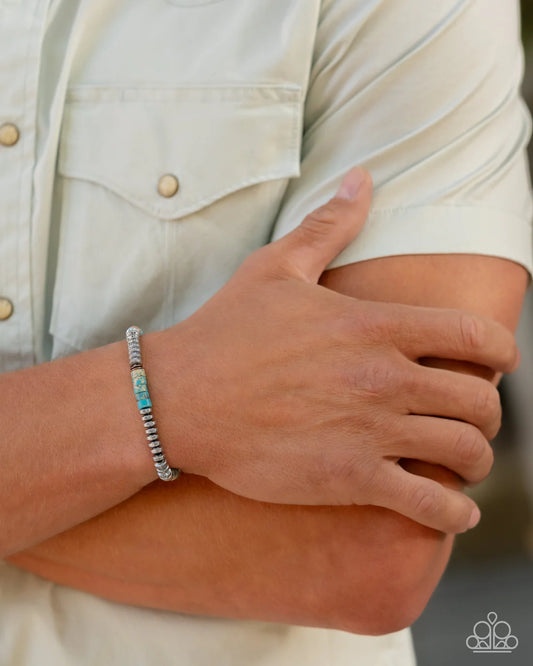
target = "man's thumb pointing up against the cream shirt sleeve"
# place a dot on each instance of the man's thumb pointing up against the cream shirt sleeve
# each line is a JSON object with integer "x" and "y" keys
{"x": 307, "y": 250}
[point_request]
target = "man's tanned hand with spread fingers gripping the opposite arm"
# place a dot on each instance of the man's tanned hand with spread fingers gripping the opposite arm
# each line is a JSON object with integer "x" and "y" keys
{"x": 305, "y": 396}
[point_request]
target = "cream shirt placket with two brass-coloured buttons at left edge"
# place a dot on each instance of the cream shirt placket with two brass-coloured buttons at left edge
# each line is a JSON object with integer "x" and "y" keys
{"x": 21, "y": 30}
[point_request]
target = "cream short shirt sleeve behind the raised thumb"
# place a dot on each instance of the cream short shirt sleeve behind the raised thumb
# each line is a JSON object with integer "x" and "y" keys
{"x": 425, "y": 95}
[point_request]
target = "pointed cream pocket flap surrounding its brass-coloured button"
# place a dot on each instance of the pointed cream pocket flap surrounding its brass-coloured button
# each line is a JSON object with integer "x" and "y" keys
{"x": 214, "y": 140}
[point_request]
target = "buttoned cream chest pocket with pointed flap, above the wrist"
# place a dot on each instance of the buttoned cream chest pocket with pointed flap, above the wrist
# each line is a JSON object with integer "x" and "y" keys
{"x": 160, "y": 194}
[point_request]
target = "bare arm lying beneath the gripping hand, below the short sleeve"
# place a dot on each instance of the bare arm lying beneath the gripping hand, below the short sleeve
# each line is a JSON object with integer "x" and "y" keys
{"x": 195, "y": 548}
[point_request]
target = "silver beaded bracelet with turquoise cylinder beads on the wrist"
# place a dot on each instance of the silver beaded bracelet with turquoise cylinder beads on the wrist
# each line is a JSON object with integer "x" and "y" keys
{"x": 140, "y": 388}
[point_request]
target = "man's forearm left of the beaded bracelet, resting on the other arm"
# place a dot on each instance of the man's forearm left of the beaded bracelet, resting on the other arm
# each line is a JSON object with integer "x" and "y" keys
{"x": 72, "y": 443}
